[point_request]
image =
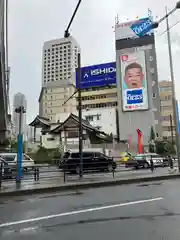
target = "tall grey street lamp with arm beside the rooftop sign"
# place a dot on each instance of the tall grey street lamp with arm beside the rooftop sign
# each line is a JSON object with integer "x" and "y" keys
{"x": 155, "y": 25}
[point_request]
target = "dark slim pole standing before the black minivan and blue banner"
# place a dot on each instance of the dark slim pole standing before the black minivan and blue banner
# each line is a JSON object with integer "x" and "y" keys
{"x": 80, "y": 116}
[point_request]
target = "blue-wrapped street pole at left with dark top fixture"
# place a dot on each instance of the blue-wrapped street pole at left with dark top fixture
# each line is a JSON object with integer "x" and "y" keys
{"x": 20, "y": 110}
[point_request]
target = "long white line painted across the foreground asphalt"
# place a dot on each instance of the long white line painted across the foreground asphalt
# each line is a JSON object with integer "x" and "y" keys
{"x": 8, "y": 224}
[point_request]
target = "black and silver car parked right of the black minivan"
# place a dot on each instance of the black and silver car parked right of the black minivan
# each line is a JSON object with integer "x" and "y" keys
{"x": 143, "y": 161}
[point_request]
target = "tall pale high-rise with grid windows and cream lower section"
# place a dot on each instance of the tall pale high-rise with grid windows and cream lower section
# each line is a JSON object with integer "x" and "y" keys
{"x": 59, "y": 62}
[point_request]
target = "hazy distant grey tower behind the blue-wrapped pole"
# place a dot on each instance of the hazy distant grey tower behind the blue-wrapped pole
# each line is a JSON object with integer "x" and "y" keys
{"x": 19, "y": 100}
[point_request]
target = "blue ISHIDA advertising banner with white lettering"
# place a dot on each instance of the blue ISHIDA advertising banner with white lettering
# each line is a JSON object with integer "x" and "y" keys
{"x": 97, "y": 75}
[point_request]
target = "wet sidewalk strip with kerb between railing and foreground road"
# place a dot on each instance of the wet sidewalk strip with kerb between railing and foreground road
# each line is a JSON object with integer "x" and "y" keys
{"x": 10, "y": 188}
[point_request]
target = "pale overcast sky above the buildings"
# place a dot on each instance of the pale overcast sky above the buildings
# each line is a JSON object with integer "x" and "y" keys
{"x": 31, "y": 22}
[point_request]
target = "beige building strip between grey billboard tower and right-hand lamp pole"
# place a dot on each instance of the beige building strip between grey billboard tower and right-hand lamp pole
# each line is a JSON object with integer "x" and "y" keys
{"x": 165, "y": 90}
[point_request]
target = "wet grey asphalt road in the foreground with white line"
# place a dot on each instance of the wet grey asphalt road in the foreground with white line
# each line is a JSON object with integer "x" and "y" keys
{"x": 146, "y": 211}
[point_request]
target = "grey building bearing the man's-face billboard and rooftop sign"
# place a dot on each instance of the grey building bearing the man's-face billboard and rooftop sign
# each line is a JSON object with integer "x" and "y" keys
{"x": 137, "y": 81}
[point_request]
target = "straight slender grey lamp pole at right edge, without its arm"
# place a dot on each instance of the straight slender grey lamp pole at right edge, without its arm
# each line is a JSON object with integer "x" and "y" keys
{"x": 173, "y": 90}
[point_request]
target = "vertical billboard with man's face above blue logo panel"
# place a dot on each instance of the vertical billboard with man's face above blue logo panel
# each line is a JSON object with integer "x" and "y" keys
{"x": 134, "y": 81}
